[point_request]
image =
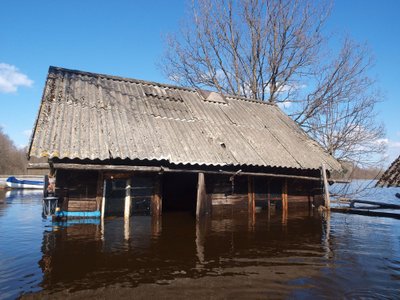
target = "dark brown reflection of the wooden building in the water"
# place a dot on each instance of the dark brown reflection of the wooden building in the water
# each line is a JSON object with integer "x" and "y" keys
{"x": 86, "y": 256}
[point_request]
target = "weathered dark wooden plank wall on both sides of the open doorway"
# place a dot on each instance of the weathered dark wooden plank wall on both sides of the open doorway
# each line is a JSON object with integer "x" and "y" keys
{"x": 83, "y": 191}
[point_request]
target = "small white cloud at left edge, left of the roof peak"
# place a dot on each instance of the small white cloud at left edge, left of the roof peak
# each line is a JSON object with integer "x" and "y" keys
{"x": 11, "y": 78}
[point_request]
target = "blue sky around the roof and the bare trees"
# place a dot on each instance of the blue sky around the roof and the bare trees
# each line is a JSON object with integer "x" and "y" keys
{"x": 125, "y": 38}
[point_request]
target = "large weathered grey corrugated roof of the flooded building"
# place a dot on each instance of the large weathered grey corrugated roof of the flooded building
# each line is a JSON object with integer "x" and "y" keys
{"x": 94, "y": 116}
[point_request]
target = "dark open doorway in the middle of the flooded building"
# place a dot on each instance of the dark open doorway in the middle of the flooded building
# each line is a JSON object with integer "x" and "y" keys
{"x": 179, "y": 192}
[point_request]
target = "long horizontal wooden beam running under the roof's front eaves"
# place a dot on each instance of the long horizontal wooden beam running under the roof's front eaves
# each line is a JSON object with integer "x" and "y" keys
{"x": 126, "y": 168}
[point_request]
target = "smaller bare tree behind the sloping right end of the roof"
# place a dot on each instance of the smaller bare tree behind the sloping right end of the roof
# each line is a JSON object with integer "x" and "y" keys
{"x": 340, "y": 112}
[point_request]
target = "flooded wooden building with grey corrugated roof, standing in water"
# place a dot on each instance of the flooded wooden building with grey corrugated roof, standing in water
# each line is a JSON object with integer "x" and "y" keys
{"x": 120, "y": 146}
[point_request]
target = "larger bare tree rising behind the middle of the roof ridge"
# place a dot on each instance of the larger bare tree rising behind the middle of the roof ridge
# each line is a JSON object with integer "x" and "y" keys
{"x": 256, "y": 49}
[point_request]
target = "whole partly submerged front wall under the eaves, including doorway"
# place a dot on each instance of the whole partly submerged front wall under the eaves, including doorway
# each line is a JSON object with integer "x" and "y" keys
{"x": 84, "y": 191}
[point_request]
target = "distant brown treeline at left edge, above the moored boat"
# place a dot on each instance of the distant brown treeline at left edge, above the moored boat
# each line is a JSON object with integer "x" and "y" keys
{"x": 12, "y": 159}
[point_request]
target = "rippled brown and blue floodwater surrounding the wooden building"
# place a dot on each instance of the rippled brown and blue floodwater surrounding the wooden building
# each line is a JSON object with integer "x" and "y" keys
{"x": 303, "y": 256}
